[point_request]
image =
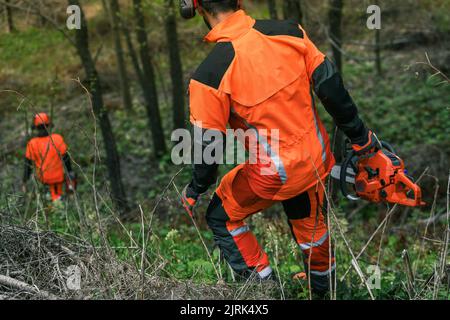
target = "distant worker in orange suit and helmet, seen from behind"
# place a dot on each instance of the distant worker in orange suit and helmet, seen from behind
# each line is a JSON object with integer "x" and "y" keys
{"x": 48, "y": 154}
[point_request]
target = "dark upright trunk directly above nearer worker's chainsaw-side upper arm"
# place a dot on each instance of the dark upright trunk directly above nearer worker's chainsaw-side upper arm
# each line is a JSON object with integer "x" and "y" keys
{"x": 335, "y": 31}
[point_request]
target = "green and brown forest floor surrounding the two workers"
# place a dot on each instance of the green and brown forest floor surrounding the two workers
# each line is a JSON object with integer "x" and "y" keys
{"x": 156, "y": 253}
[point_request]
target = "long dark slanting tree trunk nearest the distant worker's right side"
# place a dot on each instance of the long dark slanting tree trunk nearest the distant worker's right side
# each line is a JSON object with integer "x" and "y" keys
{"x": 109, "y": 141}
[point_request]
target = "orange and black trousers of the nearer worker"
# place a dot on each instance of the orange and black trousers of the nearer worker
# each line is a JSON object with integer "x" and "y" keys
{"x": 306, "y": 220}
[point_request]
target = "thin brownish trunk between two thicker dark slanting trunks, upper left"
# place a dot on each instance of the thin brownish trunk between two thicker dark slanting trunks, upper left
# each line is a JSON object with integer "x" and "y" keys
{"x": 114, "y": 17}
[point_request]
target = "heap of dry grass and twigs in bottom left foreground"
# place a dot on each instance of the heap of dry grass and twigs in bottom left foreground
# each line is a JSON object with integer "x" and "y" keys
{"x": 42, "y": 261}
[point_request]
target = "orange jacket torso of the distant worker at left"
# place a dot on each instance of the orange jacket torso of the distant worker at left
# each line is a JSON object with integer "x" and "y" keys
{"x": 46, "y": 153}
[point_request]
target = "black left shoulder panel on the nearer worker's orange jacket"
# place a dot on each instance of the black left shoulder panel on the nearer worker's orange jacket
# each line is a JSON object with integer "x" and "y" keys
{"x": 213, "y": 68}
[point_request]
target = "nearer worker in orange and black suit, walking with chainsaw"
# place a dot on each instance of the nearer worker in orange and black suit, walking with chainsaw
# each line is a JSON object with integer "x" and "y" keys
{"x": 260, "y": 77}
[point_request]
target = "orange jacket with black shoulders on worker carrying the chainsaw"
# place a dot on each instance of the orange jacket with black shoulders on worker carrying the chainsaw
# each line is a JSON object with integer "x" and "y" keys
{"x": 259, "y": 77}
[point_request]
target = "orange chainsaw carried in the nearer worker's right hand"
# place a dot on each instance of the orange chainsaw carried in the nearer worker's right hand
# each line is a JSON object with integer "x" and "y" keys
{"x": 378, "y": 177}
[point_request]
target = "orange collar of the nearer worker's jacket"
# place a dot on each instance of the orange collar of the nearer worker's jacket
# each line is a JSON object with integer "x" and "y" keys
{"x": 233, "y": 27}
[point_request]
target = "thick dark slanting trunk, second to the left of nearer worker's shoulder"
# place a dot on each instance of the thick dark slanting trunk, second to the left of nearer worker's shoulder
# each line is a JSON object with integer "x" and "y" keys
{"x": 150, "y": 92}
